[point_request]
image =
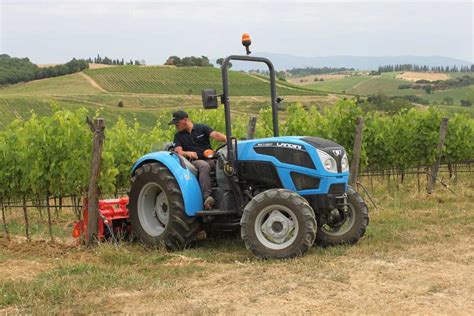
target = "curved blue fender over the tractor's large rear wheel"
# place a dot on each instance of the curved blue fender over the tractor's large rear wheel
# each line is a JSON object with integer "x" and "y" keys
{"x": 188, "y": 183}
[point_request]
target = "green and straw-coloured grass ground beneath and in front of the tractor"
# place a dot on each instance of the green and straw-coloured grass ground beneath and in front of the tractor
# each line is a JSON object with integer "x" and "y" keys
{"x": 416, "y": 245}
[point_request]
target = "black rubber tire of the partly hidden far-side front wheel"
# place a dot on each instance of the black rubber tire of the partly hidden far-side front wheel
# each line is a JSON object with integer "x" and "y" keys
{"x": 351, "y": 234}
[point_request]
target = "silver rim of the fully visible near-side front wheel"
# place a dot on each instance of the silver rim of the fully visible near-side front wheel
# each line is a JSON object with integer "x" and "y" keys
{"x": 276, "y": 227}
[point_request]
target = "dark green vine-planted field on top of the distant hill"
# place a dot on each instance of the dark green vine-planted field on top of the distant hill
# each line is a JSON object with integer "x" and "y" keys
{"x": 183, "y": 81}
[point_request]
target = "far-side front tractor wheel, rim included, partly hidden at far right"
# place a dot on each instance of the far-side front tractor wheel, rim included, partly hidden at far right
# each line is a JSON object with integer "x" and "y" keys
{"x": 345, "y": 226}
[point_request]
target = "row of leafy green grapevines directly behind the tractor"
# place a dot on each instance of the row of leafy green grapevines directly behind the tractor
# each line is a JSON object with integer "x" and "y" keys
{"x": 50, "y": 155}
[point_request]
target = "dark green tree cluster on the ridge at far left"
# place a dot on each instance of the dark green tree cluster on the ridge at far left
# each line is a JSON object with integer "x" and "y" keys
{"x": 14, "y": 70}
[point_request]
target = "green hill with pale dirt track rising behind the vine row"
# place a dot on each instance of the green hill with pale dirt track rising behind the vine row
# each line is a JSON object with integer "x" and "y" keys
{"x": 144, "y": 91}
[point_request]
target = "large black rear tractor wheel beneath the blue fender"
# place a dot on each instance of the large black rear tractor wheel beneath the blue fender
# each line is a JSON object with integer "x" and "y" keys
{"x": 179, "y": 230}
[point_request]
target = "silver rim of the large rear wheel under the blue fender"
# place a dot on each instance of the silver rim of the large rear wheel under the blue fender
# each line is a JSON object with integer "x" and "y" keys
{"x": 153, "y": 209}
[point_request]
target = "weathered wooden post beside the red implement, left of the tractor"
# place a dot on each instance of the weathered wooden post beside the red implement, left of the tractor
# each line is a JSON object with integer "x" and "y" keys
{"x": 93, "y": 194}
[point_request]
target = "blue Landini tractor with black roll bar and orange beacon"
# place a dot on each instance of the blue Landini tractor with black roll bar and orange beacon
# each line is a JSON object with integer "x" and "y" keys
{"x": 282, "y": 193}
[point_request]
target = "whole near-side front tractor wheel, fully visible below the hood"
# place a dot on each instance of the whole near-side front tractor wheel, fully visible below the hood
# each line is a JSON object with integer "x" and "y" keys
{"x": 287, "y": 203}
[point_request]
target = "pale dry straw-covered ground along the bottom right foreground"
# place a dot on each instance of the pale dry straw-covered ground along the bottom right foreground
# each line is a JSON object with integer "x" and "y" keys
{"x": 398, "y": 284}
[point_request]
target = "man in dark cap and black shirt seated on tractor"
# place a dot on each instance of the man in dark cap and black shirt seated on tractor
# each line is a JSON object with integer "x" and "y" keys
{"x": 191, "y": 140}
